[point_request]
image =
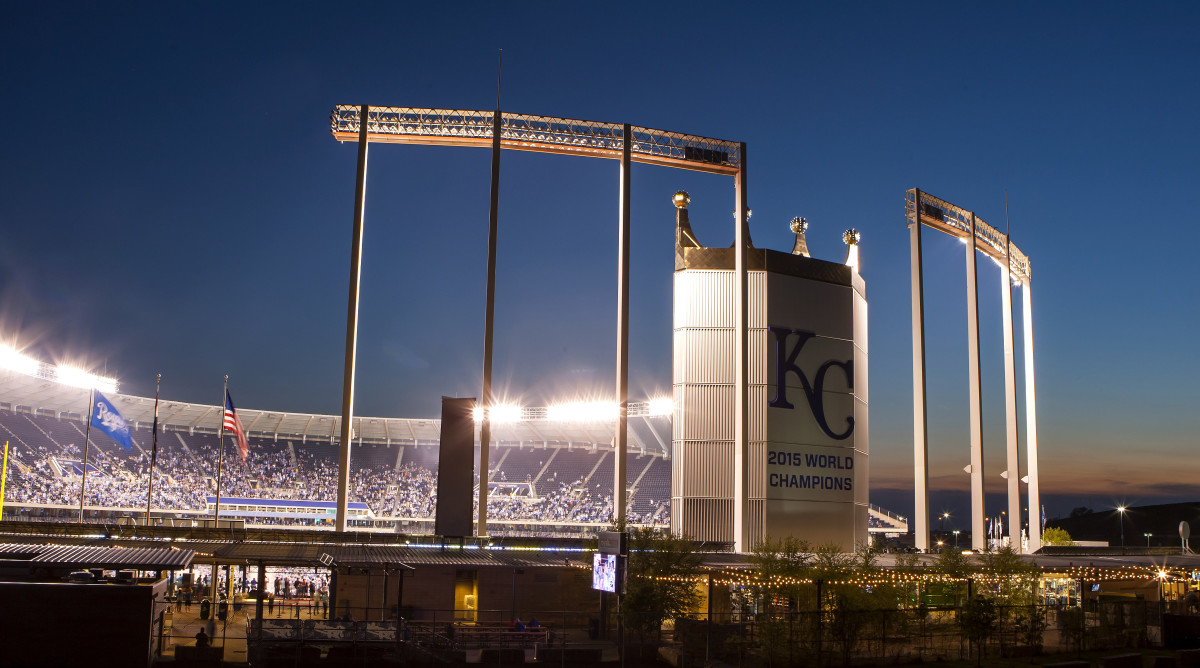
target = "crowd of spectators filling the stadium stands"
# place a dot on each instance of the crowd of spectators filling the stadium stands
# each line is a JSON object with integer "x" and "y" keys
{"x": 46, "y": 465}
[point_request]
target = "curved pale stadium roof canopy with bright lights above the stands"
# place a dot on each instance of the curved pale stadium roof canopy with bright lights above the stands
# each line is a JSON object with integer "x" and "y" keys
{"x": 27, "y": 394}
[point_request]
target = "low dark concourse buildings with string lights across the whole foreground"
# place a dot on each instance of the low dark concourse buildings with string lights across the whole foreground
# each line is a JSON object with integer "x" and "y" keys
{"x": 421, "y": 600}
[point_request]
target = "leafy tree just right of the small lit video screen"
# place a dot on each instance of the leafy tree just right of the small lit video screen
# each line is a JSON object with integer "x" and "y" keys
{"x": 661, "y": 580}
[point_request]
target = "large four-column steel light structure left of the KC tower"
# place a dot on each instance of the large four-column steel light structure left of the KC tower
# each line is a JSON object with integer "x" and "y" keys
{"x": 623, "y": 142}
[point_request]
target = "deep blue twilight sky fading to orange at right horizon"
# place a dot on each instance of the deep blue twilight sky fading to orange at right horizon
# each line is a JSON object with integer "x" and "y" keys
{"x": 172, "y": 202}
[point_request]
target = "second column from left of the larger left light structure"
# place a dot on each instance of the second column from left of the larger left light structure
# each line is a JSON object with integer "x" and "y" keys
{"x": 485, "y": 426}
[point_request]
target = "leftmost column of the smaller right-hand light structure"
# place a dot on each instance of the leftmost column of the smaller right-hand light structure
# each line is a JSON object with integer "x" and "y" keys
{"x": 920, "y": 412}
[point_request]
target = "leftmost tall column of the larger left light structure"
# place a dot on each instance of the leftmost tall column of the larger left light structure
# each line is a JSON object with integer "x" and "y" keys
{"x": 352, "y": 326}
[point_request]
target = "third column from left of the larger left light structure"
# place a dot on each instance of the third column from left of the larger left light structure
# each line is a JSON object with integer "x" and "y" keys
{"x": 621, "y": 444}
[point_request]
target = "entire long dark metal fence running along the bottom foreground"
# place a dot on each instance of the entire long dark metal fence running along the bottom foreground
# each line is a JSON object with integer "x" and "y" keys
{"x": 296, "y": 633}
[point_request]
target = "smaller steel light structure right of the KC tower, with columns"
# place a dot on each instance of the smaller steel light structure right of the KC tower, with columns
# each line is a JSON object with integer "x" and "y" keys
{"x": 922, "y": 209}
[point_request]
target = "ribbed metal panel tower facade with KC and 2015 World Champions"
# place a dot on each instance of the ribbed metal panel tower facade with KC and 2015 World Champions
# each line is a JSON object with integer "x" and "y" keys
{"x": 808, "y": 465}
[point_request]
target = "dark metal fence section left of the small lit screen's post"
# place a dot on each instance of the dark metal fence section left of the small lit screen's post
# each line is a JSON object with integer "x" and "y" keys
{"x": 298, "y": 631}
